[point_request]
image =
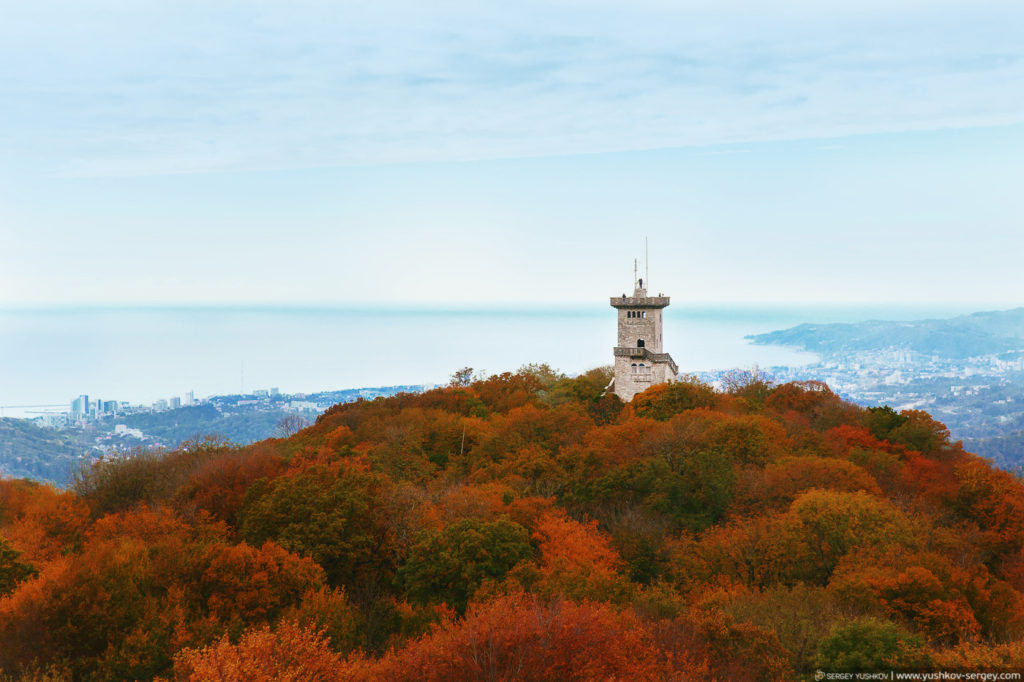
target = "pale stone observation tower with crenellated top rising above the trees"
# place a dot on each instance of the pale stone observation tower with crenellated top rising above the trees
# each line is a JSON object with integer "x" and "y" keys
{"x": 639, "y": 361}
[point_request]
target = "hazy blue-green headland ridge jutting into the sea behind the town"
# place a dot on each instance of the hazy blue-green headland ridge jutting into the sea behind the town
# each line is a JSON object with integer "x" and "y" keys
{"x": 965, "y": 336}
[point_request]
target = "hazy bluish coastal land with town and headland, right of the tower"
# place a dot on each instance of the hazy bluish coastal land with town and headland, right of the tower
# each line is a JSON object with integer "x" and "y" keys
{"x": 967, "y": 371}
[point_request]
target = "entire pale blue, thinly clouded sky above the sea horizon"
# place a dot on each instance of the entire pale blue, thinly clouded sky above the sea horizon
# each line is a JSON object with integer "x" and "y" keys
{"x": 233, "y": 152}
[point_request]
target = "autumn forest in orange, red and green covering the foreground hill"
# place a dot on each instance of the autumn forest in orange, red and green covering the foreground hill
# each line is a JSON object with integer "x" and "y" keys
{"x": 528, "y": 527}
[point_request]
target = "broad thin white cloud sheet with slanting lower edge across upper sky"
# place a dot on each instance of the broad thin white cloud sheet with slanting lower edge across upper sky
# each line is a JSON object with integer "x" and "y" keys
{"x": 146, "y": 89}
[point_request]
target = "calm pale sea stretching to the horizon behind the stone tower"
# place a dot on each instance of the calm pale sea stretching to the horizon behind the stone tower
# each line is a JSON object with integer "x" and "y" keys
{"x": 51, "y": 356}
